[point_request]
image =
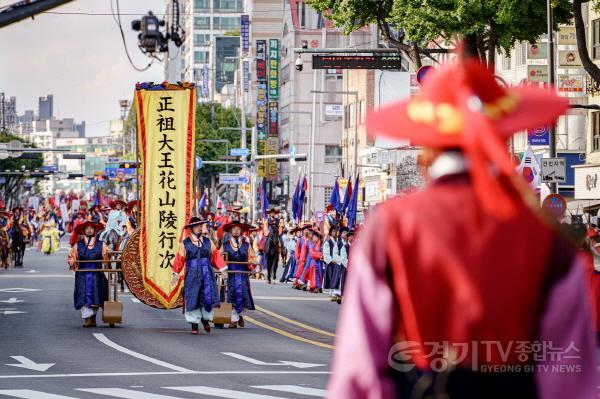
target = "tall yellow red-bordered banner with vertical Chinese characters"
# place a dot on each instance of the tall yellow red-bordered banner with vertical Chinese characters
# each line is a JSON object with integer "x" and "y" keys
{"x": 165, "y": 118}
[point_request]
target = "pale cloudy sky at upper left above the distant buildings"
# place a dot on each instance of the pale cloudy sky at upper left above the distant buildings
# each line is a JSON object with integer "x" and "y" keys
{"x": 79, "y": 59}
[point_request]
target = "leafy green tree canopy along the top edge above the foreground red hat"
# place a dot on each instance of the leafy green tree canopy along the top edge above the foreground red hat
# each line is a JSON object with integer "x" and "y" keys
{"x": 412, "y": 25}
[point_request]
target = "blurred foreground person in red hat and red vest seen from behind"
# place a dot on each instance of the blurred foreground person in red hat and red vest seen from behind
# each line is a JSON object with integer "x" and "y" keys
{"x": 447, "y": 294}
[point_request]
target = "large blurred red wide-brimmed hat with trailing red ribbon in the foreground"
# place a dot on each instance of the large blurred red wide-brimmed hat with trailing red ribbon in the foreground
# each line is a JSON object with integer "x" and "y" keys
{"x": 462, "y": 106}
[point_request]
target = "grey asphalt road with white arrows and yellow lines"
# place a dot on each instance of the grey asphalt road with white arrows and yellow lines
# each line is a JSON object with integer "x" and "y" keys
{"x": 283, "y": 352}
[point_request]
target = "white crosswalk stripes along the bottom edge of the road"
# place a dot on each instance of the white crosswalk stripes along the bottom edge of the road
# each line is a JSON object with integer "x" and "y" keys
{"x": 204, "y": 391}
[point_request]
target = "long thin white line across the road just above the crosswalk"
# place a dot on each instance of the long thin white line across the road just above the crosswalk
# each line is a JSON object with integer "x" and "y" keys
{"x": 148, "y": 373}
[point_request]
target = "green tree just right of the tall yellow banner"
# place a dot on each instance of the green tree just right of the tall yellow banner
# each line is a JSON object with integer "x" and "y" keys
{"x": 209, "y": 118}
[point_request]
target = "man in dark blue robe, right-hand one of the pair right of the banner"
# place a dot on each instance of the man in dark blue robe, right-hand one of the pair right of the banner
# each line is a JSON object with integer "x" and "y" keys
{"x": 237, "y": 249}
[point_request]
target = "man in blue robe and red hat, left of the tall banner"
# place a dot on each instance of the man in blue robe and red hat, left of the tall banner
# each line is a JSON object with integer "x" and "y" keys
{"x": 91, "y": 289}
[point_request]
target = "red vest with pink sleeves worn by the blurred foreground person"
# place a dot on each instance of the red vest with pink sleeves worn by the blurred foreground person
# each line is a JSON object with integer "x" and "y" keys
{"x": 433, "y": 267}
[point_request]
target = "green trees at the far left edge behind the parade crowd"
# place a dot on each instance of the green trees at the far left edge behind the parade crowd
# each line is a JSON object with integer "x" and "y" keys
{"x": 13, "y": 183}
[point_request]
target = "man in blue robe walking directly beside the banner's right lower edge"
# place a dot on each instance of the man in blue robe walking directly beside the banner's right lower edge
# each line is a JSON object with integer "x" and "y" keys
{"x": 200, "y": 285}
